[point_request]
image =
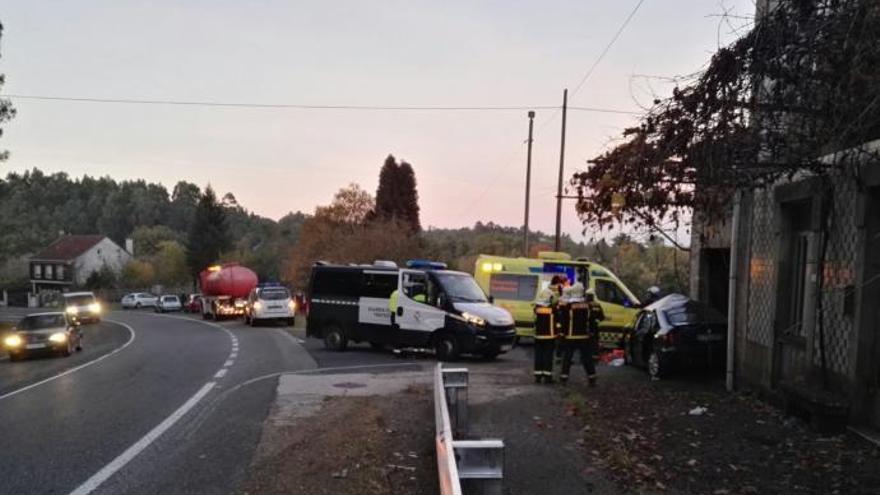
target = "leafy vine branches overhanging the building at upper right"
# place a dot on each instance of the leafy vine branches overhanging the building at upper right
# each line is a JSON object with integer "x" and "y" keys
{"x": 802, "y": 84}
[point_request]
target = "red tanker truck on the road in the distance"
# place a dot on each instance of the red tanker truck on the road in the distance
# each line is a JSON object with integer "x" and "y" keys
{"x": 225, "y": 289}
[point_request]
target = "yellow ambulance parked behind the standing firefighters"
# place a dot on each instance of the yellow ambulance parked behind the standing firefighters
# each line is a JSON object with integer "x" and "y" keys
{"x": 514, "y": 283}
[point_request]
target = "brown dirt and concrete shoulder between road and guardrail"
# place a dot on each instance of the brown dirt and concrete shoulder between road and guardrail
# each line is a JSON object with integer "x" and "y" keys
{"x": 348, "y": 434}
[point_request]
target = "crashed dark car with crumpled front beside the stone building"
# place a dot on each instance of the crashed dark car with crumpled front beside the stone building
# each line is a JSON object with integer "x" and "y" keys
{"x": 675, "y": 333}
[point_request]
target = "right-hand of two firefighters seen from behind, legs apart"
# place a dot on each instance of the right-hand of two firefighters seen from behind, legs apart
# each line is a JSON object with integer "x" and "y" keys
{"x": 576, "y": 334}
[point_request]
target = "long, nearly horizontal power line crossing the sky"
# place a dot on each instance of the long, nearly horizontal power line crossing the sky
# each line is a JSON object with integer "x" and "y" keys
{"x": 299, "y": 106}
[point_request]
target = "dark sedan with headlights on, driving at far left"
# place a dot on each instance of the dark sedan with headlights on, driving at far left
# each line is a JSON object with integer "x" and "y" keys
{"x": 43, "y": 333}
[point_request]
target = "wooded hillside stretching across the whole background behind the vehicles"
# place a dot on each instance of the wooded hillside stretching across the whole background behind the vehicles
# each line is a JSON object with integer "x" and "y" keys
{"x": 177, "y": 234}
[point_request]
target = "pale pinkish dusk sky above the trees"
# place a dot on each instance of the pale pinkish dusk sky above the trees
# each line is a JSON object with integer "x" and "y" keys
{"x": 470, "y": 165}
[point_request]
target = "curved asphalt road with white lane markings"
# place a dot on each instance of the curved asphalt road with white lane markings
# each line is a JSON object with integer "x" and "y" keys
{"x": 153, "y": 404}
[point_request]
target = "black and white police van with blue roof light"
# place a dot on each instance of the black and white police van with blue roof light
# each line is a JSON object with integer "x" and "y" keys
{"x": 437, "y": 308}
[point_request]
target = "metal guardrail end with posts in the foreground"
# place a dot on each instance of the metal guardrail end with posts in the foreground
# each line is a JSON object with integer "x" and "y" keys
{"x": 471, "y": 467}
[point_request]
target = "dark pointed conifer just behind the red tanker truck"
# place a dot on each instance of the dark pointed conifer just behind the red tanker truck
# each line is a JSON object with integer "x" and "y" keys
{"x": 208, "y": 236}
